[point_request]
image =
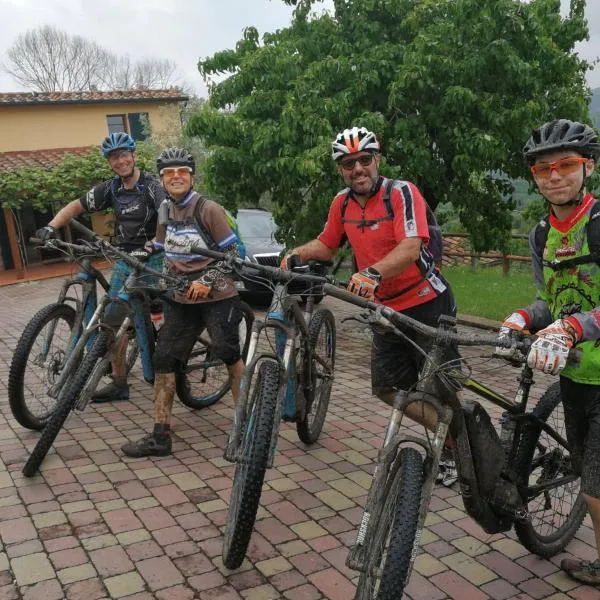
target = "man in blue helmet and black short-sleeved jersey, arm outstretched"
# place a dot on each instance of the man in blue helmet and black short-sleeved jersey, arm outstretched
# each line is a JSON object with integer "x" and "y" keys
{"x": 134, "y": 197}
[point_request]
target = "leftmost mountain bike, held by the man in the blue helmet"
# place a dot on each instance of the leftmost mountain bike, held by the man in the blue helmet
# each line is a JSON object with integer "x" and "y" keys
{"x": 49, "y": 343}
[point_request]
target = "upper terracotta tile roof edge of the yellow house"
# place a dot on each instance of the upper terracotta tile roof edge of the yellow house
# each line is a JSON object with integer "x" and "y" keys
{"x": 89, "y": 97}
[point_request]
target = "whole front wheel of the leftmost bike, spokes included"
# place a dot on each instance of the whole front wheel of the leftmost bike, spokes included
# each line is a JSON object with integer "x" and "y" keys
{"x": 37, "y": 362}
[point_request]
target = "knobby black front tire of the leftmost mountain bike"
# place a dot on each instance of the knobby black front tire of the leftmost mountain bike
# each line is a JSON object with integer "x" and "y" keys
{"x": 17, "y": 384}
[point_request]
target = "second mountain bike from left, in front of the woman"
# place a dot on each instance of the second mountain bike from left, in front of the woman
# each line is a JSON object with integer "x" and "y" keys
{"x": 133, "y": 302}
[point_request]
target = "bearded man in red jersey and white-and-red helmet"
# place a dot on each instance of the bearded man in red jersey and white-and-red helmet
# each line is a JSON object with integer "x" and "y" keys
{"x": 394, "y": 264}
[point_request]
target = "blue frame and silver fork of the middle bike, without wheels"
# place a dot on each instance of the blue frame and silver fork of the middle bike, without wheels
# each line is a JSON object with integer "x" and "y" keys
{"x": 286, "y": 317}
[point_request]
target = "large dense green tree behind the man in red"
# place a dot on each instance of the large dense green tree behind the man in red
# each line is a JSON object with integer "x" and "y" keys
{"x": 452, "y": 88}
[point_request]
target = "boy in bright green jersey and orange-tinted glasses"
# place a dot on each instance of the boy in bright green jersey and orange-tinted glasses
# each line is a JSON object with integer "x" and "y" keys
{"x": 566, "y": 313}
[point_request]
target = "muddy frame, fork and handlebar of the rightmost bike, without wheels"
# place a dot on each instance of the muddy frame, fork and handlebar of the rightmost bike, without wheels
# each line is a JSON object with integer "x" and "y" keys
{"x": 451, "y": 420}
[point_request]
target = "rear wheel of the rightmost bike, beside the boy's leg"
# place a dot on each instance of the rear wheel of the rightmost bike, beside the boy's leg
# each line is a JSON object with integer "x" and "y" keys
{"x": 553, "y": 463}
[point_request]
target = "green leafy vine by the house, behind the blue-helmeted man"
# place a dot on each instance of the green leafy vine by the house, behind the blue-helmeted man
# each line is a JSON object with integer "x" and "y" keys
{"x": 71, "y": 178}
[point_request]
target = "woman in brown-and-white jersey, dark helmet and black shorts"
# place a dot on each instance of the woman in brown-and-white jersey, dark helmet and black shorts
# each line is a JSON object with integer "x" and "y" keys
{"x": 211, "y": 300}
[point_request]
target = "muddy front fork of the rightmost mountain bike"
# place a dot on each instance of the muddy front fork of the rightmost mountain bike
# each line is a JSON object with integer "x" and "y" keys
{"x": 358, "y": 555}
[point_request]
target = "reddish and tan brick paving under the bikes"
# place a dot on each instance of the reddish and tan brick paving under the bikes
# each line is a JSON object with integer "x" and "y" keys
{"x": 94, "y": 525}
